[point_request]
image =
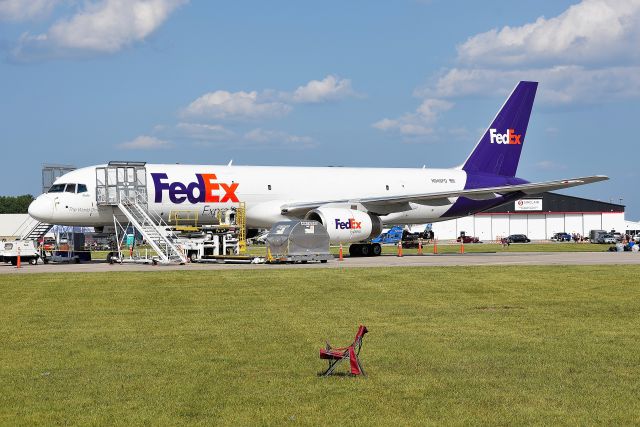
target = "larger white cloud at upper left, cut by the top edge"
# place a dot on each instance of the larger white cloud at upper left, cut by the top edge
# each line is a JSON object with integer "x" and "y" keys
{"x": 105, "y": 26}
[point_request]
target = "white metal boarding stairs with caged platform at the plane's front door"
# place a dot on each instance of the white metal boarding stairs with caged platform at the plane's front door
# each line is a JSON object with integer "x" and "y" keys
{"x": 123, "y": 185}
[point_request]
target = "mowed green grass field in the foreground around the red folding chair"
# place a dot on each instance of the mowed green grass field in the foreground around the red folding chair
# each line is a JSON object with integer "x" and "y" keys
{"x": 450, "y": 345}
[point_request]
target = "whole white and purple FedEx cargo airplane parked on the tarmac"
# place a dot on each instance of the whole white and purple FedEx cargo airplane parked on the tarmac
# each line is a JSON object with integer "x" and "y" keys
{"x": 352, "y": 203}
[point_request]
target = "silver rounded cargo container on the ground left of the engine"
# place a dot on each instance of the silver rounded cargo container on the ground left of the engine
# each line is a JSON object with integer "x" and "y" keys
{"x": 298, "y": 241}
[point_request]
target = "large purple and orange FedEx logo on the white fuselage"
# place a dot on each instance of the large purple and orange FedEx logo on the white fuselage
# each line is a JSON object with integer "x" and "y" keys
{"x": 206, "y": 189}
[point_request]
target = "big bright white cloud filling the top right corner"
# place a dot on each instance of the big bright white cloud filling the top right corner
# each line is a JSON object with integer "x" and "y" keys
{"x": 588, "y": 32}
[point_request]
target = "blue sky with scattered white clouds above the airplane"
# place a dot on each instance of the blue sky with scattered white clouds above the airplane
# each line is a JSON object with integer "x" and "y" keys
{"x": 358, "y": 83}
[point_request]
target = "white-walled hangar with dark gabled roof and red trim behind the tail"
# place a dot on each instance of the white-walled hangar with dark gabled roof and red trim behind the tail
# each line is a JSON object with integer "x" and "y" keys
{"x": 539, "y": 217}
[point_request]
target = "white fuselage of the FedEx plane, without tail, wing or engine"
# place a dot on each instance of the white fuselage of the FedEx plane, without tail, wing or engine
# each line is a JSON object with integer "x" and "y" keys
{"x": 263, "y": 189}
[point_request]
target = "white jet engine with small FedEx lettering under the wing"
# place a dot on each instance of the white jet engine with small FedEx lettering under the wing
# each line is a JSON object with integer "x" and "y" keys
{"x": 347, "y": 225}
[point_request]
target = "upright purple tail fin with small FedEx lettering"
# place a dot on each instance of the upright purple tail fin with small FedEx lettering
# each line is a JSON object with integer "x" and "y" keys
{"x": 498, "y": 151}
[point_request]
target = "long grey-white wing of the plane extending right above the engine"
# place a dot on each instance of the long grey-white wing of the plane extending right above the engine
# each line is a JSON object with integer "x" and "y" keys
{"x": 398, "y": 203}
